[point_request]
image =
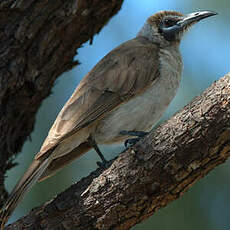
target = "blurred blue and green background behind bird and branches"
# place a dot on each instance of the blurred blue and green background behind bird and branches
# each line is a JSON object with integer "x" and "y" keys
{"x": 205, "y": 50}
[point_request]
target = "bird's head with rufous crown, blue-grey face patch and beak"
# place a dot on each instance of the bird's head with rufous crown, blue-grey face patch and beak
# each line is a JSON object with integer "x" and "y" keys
{"x": 166, "y": 27}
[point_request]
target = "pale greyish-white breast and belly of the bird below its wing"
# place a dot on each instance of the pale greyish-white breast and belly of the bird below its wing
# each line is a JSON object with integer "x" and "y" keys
{"x": 144, "y": 111}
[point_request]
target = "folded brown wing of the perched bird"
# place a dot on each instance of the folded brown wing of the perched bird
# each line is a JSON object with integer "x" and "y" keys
{"x": 122, "y": 74}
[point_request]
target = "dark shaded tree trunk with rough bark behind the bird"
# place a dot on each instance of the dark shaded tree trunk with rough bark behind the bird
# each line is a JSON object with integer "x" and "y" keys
{"x": 38, "y": 40}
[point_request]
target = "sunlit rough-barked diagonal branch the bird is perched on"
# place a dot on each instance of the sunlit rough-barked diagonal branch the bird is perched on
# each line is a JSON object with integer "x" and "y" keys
{"x": 149, "y": 175}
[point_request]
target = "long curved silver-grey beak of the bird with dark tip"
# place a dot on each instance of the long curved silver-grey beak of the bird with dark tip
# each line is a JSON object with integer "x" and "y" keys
{"x": 193, "y": 18}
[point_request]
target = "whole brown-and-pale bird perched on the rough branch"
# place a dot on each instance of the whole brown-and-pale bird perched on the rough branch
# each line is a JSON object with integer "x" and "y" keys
{"x": 124, "y": 95}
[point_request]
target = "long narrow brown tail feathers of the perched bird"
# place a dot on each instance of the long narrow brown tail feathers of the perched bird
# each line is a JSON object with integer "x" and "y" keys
{"x": 27, "y": 181}
